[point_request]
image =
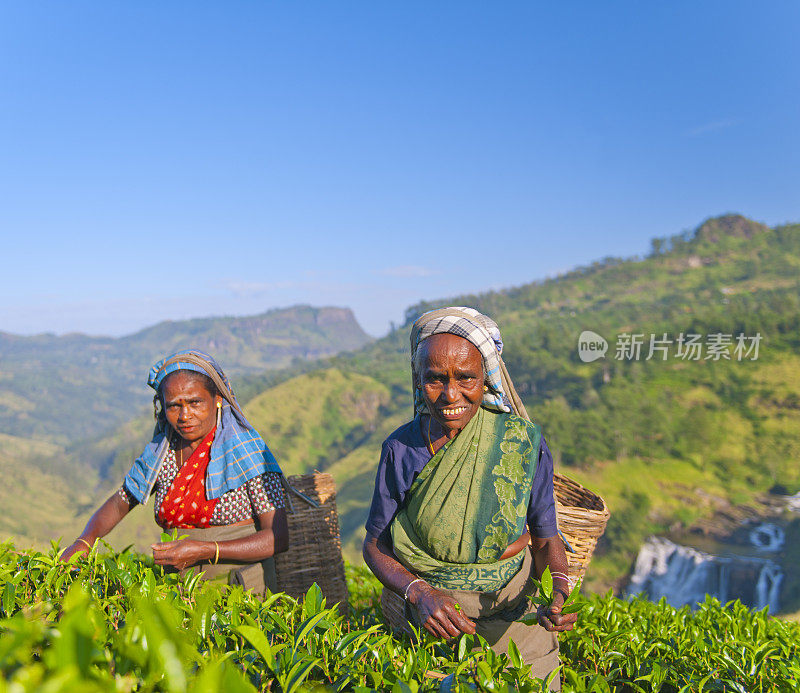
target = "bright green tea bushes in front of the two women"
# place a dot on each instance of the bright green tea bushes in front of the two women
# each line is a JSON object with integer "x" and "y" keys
{"x": 111, "y": 622}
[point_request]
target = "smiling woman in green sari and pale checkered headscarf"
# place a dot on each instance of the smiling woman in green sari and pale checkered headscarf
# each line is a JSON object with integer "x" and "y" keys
{"x": 459, "y": 492}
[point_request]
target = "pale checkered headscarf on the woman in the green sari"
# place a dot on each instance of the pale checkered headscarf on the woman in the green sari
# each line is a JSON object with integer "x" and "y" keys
{"x": 483, "y": 333}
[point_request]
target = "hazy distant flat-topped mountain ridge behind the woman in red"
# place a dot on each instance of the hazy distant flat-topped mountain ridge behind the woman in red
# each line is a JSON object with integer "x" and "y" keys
{"x": 72, "y": 387}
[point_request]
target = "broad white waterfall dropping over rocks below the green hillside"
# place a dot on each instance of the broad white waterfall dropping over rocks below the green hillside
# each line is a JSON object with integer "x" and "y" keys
{"x": 684, "y": 575}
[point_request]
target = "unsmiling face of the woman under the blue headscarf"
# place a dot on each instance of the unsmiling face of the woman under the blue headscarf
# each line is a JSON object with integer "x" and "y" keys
{"x": 189, "y": 407}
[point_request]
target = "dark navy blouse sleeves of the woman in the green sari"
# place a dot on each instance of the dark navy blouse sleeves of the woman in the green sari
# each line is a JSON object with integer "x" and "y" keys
{"x": 403, "y": 456}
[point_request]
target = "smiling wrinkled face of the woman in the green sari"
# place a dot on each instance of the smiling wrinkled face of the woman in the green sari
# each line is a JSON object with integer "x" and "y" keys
{"x": 450, "y": 372}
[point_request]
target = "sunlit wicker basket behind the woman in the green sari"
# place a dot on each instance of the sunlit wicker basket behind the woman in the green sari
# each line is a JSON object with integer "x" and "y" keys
{"x": 582, "y": 518}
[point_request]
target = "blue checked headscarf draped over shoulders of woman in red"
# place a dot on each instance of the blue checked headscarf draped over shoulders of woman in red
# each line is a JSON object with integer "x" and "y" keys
{"x": 238, "y": 452}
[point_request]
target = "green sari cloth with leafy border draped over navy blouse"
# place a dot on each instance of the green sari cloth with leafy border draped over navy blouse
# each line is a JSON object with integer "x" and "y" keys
{"x": 469, "y": 503}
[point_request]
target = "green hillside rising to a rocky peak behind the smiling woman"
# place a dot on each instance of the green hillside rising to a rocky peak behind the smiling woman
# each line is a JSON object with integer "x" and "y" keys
{"x": 664, "y": 441}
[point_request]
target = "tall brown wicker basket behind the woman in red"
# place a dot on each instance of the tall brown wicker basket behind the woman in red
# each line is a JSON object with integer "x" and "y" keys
{"x": 315, "y": 549}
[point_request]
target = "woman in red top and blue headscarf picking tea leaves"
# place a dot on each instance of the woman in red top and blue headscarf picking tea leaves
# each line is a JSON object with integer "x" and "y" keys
{"x": 212, "y": 475}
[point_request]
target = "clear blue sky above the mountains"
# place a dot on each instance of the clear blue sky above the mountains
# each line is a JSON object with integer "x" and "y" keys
{"x": 182, "y": 159}
